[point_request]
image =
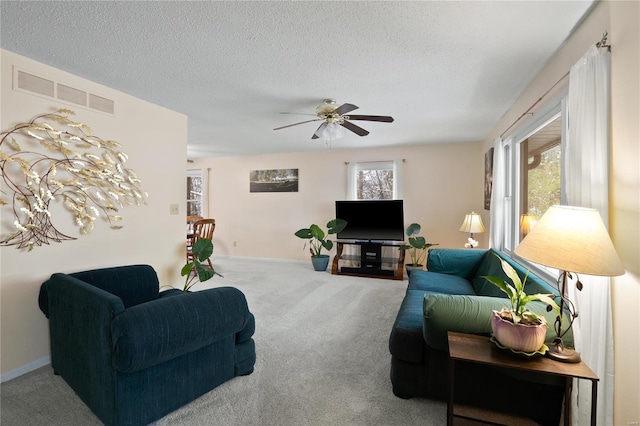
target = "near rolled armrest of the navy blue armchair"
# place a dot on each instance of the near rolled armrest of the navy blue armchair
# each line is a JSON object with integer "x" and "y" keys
{"x": 157, "y": 331}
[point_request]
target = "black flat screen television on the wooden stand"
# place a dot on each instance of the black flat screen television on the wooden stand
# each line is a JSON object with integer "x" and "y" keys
{"x": 371, "y": 220}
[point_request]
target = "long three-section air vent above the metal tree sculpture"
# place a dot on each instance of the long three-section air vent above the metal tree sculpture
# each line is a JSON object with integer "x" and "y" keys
{"x": 30, "y": 83}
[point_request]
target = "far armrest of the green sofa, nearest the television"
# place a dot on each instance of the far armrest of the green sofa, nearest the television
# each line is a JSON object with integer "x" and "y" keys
{"x": 460, "y": 262}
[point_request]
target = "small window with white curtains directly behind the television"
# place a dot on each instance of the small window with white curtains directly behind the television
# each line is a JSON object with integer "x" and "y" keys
{"x": 378, "y": 180}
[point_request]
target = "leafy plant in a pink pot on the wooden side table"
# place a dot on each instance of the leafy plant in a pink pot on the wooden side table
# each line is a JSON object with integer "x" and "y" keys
{"x": 516, "y": 327}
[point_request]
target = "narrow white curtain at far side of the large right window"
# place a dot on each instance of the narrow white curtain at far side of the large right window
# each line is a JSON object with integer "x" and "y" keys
{"x": 498, "y": 193}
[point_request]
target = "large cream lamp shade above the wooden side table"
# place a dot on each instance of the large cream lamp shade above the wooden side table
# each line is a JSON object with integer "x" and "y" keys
{"x": 572, "y": 239}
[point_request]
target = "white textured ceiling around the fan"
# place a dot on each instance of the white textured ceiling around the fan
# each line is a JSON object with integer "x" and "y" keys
{"x": 446, "y": 71}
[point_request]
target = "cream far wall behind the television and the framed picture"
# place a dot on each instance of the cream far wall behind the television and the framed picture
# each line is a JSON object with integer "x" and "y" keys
{"x": 442, "y": 182}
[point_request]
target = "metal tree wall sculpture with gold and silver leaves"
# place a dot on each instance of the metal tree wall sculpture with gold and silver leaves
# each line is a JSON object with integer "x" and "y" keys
{"x": 52, "y": 158}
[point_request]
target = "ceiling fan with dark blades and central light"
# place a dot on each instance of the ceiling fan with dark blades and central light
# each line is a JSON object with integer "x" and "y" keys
{"x": 333, "y": 116}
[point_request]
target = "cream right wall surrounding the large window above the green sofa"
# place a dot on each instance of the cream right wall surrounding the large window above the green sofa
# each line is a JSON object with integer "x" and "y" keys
{"x": 622, "y": 21}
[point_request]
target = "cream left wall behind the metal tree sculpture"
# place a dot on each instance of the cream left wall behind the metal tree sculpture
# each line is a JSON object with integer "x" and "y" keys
{"x": 155, "y": 140}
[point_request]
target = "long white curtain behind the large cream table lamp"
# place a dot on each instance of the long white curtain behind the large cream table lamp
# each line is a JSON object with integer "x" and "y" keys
{"x": 586, "y": 164}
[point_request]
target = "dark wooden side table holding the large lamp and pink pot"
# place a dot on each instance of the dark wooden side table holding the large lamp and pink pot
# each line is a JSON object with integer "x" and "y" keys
{"x": 479, "y": 349}
